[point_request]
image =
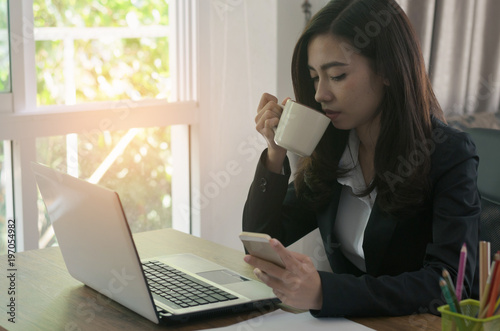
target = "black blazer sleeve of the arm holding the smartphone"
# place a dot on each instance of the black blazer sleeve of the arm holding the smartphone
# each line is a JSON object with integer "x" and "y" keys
{"x": 455, "y": 220}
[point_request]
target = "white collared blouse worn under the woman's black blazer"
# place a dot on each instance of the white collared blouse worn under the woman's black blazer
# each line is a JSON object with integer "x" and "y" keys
{"x": 353, "y": 212}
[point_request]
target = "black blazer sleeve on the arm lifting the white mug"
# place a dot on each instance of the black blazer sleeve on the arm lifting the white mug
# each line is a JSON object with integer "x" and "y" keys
{"x": 272, "y": 206}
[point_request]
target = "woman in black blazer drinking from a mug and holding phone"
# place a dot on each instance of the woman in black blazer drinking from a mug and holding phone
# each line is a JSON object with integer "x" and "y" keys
{"x": 390, "y": 186}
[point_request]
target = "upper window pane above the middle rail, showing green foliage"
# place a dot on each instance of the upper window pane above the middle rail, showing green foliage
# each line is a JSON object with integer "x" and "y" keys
{"x": 101, "y": 50}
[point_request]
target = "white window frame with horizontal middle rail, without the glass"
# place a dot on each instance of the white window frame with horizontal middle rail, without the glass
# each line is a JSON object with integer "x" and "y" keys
{"x": 21, "y": 121}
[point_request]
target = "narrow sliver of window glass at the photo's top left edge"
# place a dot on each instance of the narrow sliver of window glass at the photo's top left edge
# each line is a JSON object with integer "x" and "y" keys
{"x": 4, "y": 47}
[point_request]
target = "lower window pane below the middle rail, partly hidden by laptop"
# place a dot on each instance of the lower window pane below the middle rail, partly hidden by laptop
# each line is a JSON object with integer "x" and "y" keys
{"x": 136, "y": 163}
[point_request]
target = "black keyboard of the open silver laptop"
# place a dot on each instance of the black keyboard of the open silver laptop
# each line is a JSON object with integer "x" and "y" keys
{"x": 180, "y": 289}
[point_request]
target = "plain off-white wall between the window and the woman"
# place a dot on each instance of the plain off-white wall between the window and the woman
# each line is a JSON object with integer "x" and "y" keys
{"x": 246, "y": 48}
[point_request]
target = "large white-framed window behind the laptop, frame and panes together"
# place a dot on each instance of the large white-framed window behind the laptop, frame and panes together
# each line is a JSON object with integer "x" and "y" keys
{"x": 102, "y": 94}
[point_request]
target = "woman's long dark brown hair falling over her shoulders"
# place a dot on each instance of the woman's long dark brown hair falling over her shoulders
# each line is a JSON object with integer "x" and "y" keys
{"x": 380, "y": 31}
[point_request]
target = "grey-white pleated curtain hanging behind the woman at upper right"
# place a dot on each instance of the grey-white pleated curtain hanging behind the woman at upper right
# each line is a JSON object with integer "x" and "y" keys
{"x": 461, "y": 46}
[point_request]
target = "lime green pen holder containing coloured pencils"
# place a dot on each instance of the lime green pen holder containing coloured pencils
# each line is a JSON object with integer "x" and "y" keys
{"x": 467, "y": 321}
